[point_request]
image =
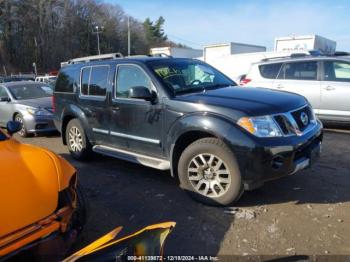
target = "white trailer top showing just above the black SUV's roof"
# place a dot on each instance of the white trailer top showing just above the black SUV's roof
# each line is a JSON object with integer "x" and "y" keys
{"x": 180, "y": 52}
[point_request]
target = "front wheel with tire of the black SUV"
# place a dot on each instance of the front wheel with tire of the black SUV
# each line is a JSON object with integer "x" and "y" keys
{"x": 209, "y": 172}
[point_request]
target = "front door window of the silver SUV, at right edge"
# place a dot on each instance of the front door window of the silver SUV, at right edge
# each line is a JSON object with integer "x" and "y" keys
{"x": 337, "y": 71}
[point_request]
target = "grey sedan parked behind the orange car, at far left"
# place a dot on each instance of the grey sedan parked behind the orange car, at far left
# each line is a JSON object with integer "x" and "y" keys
{"x": 29, "y": 103}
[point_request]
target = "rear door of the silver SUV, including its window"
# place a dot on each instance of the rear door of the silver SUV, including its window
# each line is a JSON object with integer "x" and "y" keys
{"x": 302, "y": 78}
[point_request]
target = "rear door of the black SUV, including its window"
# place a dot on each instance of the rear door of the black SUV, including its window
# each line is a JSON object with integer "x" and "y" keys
{"x": 93, "y": 100}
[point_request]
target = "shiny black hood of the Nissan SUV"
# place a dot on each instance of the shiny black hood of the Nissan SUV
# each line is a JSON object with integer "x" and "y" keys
{"x": 251, "y": 101}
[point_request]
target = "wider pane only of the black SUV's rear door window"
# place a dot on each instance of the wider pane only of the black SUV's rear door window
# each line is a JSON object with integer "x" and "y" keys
{"x": 98, "y": 81}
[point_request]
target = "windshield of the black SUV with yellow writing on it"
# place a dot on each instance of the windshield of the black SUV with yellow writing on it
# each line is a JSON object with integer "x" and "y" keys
{"x": 186, "y": 76}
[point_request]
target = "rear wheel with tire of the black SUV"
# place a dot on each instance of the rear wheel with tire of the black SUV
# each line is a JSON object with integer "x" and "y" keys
{"x": 77, "y": 142}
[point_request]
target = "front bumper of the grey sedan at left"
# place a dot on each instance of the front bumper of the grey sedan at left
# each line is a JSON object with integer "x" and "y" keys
{"x": 37, "y": 124}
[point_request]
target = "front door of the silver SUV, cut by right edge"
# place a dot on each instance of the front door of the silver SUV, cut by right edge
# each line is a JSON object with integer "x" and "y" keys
{"x": 335, "y": 90}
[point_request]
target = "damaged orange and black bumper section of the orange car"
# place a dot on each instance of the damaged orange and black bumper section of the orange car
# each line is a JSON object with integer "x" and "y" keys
{"x": 55, "y": 233}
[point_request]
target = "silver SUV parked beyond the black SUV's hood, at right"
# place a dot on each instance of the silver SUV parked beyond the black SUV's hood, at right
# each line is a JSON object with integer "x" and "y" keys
{"x": 323, "y": 80}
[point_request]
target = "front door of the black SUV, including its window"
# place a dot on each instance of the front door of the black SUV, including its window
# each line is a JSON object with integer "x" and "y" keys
{"x": 136, "y": 124}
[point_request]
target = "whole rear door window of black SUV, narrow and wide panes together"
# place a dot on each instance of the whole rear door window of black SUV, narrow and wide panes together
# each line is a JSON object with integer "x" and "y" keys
{"x": 94, "y": 80}
